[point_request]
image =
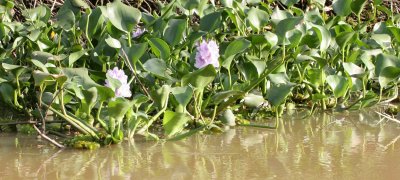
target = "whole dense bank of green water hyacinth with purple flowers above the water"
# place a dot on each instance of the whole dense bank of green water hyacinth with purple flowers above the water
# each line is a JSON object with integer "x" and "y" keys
{"x": 116, "y": 70}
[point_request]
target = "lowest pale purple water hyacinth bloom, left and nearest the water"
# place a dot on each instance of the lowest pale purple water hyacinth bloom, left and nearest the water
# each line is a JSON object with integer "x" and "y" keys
{"x": 124, "y": 89}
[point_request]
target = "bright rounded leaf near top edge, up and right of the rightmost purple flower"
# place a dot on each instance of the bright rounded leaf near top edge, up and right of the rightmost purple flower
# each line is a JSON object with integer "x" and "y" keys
{"x": 257, "y": 18}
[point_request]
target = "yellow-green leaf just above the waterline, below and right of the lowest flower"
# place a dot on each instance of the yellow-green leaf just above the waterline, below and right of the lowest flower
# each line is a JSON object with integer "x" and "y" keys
{"x": 174, "y": 122}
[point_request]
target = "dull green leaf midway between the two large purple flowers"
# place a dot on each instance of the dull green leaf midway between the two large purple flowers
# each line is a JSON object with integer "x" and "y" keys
{"x": 157, "y": 67}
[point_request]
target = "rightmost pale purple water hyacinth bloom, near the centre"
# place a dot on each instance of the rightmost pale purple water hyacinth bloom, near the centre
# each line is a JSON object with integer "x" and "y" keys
{"x": 207, "y": 53}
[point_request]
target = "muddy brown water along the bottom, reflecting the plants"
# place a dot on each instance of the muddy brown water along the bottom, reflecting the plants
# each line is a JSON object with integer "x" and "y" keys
{"x": 327, "y": 146}
